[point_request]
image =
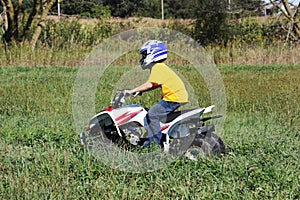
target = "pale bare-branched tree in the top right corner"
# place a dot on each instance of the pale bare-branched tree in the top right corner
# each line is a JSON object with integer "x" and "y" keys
{"x": 291, "y": 13}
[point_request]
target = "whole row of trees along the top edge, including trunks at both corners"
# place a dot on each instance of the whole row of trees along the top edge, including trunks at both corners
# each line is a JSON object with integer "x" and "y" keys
{"x": 24, "y": 20}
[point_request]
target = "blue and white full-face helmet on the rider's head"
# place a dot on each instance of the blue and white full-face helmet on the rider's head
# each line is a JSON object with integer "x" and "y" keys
{"x": 152, "y": 52}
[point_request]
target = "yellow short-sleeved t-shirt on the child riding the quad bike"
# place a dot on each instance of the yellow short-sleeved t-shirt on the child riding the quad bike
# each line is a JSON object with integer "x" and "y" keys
{"x": 172, "y": 86}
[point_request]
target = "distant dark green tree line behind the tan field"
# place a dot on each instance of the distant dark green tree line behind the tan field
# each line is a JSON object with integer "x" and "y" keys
{"x": 153, "y": 8}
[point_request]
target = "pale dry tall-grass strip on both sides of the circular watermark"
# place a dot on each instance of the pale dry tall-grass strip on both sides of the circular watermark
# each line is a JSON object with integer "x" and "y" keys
{"x": 74, "y": 56}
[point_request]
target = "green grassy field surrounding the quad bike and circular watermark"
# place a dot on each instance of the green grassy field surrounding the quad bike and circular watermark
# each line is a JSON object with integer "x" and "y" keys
{"x": 41, "y": 156}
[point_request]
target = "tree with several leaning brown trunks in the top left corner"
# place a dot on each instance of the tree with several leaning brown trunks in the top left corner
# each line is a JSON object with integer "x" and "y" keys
{"x": 13, "y": 31}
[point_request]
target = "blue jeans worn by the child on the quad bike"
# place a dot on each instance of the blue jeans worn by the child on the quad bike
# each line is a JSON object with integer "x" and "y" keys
{"x": 153, "y": 117}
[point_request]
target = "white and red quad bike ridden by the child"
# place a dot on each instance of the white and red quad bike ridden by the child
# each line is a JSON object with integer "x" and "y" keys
{"x": 184, "y": 132}
